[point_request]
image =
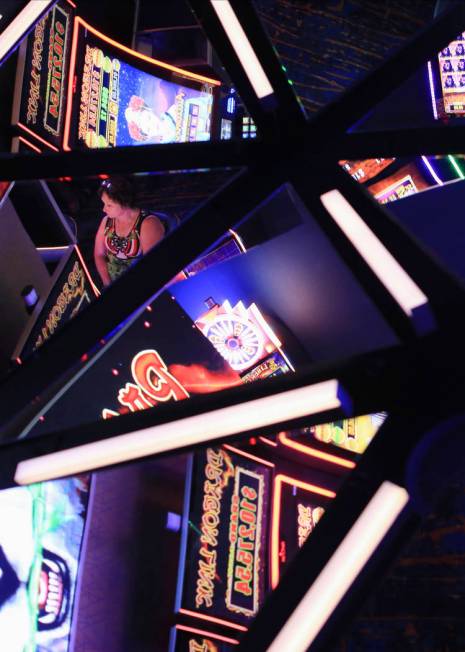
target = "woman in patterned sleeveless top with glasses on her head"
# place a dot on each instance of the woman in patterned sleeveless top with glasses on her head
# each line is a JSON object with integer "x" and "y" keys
{"x": 126, "y": 233}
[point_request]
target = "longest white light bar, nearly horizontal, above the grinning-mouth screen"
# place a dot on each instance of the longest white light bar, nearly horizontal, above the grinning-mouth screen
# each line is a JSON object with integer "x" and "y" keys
{"x": 198, "y": 429}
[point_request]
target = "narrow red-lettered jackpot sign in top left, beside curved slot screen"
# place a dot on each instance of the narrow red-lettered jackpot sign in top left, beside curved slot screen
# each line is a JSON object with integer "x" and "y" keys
{"x": 44, "y": 79}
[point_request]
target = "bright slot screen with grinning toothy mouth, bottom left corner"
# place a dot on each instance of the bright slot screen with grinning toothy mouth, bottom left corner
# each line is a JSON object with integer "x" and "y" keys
{"x": 40, "y": 548}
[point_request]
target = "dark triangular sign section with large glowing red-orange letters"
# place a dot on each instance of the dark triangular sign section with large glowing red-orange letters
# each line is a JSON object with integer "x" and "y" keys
{"x": 160, "y": 358}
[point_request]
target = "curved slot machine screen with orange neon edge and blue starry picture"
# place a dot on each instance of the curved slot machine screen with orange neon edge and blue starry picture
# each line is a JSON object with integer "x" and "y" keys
{"x": 121, "y": 97}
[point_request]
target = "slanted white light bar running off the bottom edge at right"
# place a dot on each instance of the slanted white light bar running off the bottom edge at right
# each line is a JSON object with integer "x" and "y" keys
{"x": 337, "y": 576}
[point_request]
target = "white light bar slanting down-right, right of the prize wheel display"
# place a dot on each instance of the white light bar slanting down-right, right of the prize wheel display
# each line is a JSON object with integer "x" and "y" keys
{"x": 398, "y": 283}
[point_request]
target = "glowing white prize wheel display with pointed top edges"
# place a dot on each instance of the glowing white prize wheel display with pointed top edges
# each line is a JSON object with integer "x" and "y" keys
{"x": 241, "y": 335}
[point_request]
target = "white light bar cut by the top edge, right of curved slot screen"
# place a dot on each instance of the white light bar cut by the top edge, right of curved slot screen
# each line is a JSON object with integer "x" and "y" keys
{"x": 241, "y": 44}
